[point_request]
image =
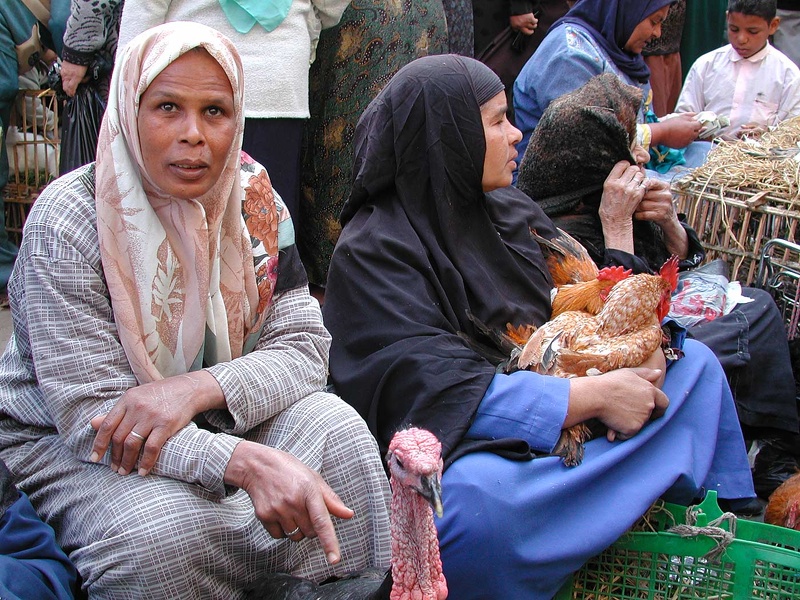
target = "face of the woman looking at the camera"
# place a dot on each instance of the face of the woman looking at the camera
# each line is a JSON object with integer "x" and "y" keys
{"x": 186, "y": 125}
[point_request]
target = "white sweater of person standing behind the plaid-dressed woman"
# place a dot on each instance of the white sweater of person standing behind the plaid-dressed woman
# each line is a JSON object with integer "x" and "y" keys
{"x": 275, "y": 63}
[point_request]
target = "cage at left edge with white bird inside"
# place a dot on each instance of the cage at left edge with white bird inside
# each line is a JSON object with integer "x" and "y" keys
{"x": 34, "y": 144}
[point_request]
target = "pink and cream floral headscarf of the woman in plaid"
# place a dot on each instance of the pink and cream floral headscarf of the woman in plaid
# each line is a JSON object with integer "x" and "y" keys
{"x": 189, "y": 285}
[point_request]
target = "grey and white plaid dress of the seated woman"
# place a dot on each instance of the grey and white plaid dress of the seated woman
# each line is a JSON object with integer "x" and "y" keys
{"x": 179, "y": 532}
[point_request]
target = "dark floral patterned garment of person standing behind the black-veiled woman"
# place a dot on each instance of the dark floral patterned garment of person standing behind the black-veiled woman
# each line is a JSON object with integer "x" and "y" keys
{"x": 355, "y": 60}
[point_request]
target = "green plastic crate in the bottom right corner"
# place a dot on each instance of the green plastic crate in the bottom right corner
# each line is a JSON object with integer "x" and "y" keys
{"x": 760, "y": 562}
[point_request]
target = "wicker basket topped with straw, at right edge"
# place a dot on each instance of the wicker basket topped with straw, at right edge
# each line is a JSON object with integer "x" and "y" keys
{"x": 734, "y": 225}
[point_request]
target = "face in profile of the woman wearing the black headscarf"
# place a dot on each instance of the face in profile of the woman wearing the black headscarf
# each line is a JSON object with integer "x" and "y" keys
{"x": 501, "y": 139}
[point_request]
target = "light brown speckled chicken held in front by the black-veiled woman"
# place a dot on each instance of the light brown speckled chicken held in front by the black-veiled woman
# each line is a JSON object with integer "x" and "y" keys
{"x": 624, "y": 333}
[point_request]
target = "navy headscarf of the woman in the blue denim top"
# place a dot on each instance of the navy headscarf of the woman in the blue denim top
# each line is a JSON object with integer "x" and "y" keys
{"x": 611, "y": 23}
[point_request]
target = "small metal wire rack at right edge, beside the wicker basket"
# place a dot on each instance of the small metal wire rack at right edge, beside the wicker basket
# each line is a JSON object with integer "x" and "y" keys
{"x": 779, "y": 274}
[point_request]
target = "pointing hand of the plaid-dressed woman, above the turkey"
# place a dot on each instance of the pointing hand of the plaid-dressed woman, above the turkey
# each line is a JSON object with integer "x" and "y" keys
{"x": 287, "y": 495}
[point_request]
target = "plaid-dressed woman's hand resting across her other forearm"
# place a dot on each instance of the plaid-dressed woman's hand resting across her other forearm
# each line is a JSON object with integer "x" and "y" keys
{"x": 148, "y": 415}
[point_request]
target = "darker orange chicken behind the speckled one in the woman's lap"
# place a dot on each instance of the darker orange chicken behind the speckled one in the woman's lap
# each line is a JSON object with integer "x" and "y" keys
{"x": 578, "y": 284}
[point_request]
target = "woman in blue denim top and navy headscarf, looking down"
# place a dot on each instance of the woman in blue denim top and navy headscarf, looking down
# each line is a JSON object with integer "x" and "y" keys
{"x": 598, "y": 36}
